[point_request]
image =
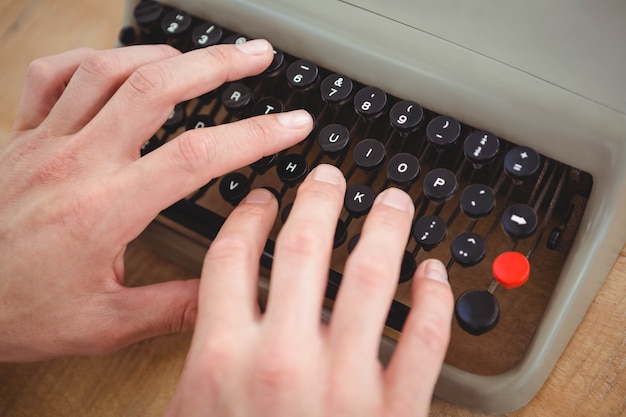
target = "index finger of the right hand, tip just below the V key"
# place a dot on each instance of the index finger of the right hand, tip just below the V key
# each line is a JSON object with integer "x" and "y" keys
{"x": 230, "y": 275}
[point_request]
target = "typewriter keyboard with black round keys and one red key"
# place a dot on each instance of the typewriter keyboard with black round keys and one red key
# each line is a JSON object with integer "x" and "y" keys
{"x": 500, "y": 215}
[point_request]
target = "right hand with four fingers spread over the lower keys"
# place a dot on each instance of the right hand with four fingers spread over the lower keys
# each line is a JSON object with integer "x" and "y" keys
{"x": 285, "y": 362}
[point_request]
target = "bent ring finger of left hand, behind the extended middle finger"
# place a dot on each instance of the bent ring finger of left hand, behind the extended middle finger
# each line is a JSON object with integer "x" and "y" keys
{"x": 96, "y": 79}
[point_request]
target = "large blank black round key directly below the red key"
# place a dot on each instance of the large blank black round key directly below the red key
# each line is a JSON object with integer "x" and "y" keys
{"x": 477, "y": 311}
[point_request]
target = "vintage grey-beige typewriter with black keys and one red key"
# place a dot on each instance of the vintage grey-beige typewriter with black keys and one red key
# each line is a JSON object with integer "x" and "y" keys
{"x": 506, "y": 122}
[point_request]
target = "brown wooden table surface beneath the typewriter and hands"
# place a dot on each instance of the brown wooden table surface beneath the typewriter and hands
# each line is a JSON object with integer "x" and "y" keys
{"x": 589, "y": 379}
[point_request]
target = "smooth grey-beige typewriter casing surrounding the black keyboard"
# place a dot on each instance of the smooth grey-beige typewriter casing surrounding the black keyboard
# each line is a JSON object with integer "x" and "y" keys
{"x": 550, "y": 75}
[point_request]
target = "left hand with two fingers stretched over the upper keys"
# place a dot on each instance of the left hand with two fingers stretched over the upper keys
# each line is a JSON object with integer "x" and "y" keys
{"x": 74, "y": 191}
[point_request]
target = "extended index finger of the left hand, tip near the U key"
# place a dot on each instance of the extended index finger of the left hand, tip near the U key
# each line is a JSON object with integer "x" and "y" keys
{"x": 166, "y": 175}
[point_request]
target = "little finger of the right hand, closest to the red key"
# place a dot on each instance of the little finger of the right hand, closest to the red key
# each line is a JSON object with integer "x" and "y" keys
{"x": 422, "y": 346}
